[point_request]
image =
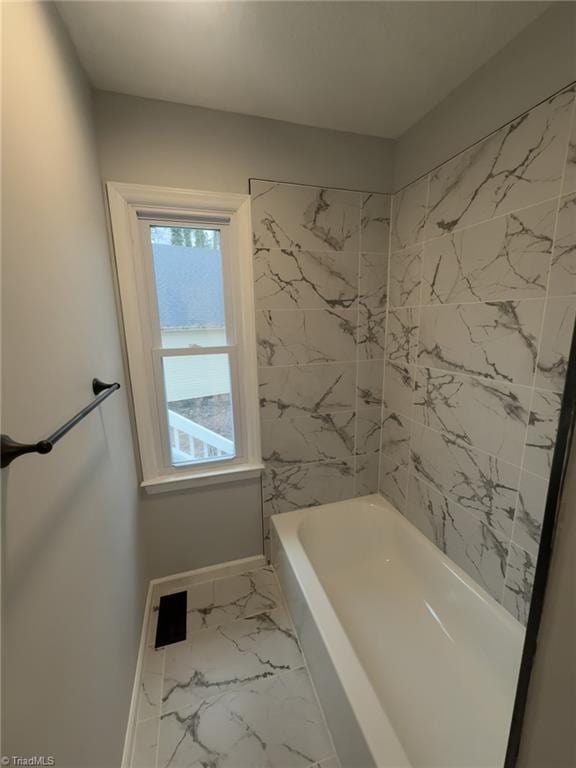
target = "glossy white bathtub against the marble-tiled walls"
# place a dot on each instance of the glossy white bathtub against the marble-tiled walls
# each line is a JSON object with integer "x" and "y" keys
{"x": 414, "y": 664}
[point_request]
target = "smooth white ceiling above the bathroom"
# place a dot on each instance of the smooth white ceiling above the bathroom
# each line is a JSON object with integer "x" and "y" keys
{"x": 367, "y": 67}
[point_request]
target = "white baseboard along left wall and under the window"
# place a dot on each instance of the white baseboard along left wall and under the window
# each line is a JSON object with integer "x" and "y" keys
{"x": 156, "y": 587}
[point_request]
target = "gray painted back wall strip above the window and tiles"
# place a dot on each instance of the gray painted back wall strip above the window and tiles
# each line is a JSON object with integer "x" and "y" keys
{"x": 157, "y": 142}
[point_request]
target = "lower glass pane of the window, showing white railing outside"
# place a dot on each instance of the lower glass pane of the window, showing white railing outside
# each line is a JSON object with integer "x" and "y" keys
{"x": 200, "y": 415}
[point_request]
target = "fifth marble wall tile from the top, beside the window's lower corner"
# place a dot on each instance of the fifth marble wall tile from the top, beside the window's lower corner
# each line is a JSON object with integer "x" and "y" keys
{"x": 308, "y": 439}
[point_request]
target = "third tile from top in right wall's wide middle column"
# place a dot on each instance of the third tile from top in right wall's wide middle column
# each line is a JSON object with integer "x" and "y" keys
{"x": 498, "y": 340}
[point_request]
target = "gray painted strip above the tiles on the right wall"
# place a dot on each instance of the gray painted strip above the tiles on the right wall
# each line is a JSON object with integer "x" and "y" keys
{"x": 536, "y": 64}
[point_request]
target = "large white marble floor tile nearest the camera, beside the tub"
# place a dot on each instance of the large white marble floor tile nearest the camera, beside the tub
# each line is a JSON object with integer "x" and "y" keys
{"x": 274, "y": 722}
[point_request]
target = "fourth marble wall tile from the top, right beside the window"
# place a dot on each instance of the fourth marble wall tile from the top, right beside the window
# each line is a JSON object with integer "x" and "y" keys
{"x": 297, "y": 390}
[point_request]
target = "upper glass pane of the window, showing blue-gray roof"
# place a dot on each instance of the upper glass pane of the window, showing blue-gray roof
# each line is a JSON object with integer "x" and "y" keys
{"x": 189, "y": 286}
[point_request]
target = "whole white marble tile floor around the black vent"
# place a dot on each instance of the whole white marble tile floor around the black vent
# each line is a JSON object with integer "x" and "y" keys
{"x": 236, "y": 693}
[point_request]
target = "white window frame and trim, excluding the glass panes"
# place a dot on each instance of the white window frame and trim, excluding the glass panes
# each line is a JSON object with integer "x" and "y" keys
{"x": 134, "y": 269}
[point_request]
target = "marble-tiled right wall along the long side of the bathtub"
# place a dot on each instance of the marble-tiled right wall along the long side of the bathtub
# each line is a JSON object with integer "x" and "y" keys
{"x": 482, "y": 301}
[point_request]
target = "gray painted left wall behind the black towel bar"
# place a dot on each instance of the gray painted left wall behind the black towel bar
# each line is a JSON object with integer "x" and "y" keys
{"x": 73, "y": 579}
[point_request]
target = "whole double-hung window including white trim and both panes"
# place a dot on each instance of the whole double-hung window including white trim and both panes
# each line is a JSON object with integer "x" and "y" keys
{"x": 184, "y": 271}
